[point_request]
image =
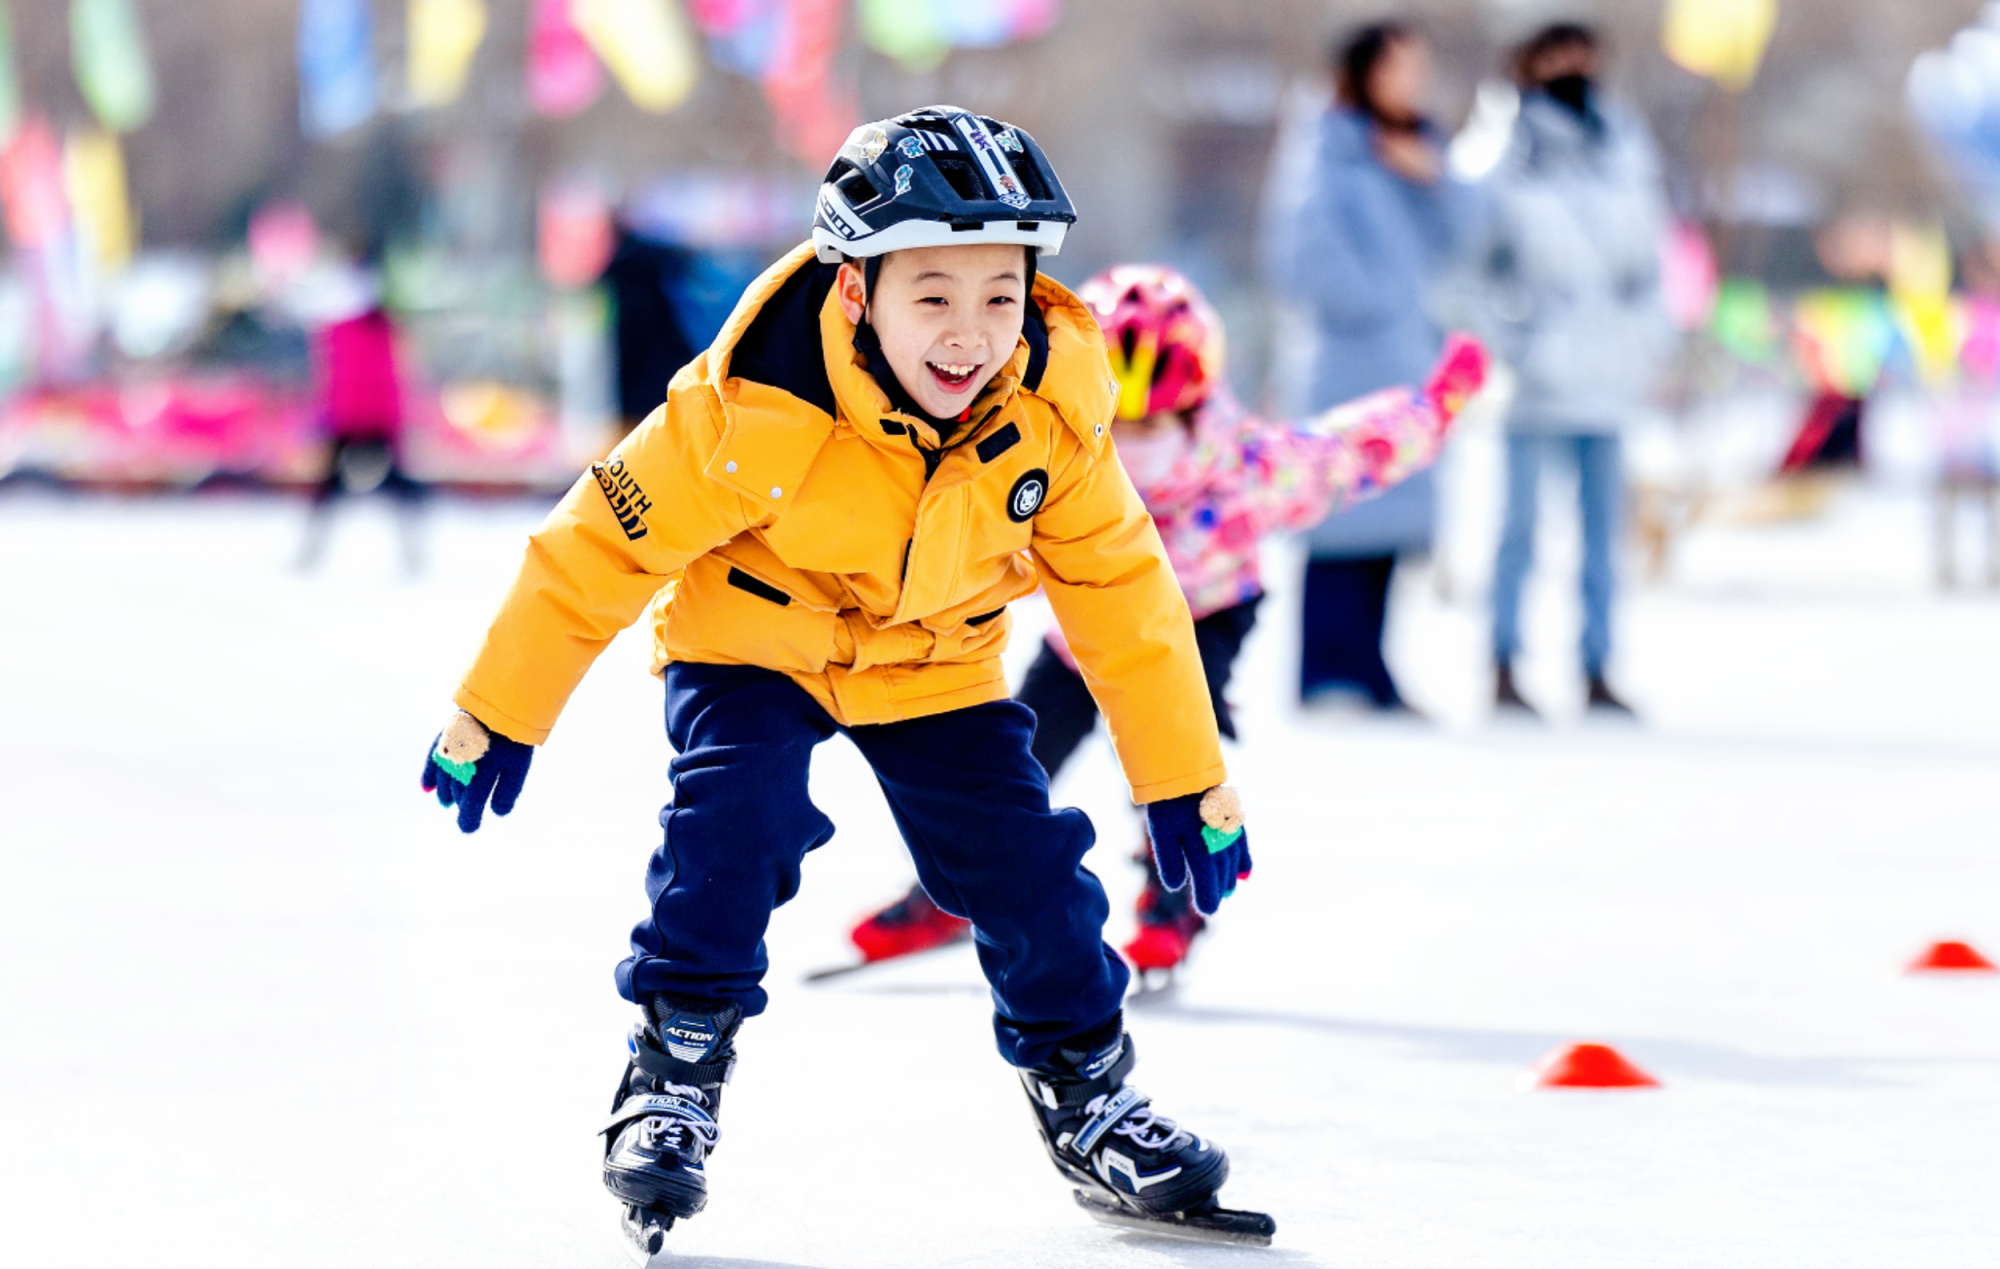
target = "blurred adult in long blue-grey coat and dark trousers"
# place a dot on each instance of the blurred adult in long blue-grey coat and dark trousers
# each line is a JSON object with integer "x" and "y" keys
{"x": 1363, "y": 245}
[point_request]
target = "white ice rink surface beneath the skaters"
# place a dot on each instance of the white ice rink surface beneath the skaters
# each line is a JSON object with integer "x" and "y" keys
{"x": 263, "y": 1006}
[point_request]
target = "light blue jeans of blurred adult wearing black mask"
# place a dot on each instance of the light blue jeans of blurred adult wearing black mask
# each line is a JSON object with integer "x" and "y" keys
{"x": 1601, "y": 495}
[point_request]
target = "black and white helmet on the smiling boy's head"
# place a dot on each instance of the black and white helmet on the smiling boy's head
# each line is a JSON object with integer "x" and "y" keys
{"x": 939, "y": 177}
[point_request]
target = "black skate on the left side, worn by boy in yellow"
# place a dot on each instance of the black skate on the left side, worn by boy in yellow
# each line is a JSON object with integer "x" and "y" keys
{"x": 665, "y": 1118}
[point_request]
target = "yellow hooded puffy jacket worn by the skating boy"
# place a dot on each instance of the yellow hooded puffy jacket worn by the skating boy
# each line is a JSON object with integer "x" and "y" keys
{"x": 779, "y": 511}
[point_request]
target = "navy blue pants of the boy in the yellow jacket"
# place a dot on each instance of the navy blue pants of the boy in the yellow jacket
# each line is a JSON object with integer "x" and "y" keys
{"x": 973, "y": 808}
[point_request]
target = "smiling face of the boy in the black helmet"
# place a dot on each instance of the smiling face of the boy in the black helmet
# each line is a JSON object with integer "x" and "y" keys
{"x": 949, "y": 317}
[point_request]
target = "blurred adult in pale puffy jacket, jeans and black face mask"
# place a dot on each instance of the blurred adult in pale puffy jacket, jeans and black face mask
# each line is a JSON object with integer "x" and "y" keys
{"x": 1575, "y": 279}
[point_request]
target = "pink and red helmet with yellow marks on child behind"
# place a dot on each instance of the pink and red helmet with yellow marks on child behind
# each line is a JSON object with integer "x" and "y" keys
{"x": 1163, "y": 337}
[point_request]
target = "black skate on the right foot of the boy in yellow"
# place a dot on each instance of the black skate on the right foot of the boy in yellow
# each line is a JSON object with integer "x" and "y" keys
{"x": 1133, "y": 1166}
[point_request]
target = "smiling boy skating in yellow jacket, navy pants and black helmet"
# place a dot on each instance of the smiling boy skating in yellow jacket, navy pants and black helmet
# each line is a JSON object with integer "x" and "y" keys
{"x": 901, "y": 431}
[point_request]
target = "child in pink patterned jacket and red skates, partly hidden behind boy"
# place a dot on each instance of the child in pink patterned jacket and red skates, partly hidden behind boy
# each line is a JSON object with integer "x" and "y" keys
{"x": 1217, "y": 481}
